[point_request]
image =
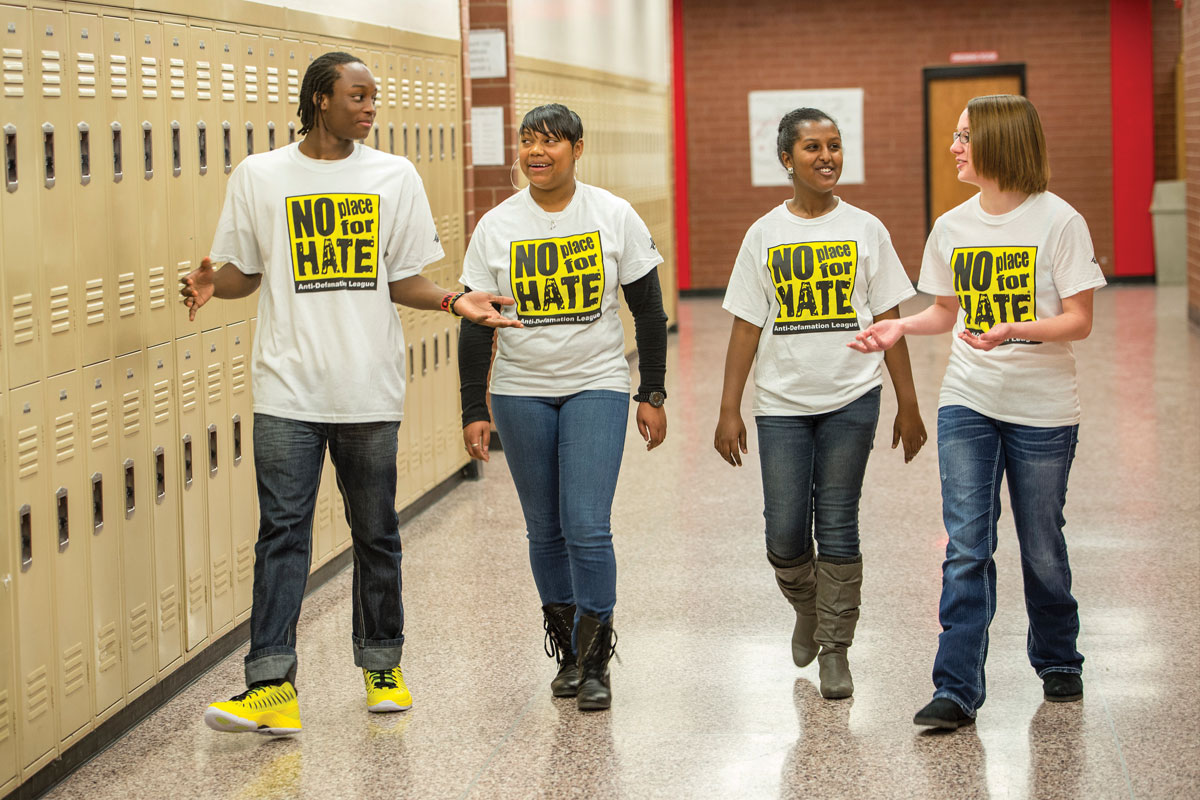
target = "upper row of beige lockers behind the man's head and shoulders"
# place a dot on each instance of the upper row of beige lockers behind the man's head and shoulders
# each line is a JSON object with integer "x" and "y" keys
{"x": 121, "y": 133}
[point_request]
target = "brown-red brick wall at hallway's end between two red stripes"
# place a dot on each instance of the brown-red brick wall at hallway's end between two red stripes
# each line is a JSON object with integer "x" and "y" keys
{"x": 883, "y": 47}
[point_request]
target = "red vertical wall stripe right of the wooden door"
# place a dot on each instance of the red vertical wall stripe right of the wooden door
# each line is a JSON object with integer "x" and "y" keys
{"x": 1133, "y": 136}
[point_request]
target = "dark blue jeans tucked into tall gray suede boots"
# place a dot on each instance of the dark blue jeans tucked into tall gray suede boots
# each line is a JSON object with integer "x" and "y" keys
{"x": 813, "y": 470}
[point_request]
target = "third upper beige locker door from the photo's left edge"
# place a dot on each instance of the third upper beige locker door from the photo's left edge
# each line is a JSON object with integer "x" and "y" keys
{"x": 88, "y": 178}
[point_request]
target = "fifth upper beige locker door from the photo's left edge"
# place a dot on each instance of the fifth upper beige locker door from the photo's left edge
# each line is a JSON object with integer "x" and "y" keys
{"x": 153, "y": 177}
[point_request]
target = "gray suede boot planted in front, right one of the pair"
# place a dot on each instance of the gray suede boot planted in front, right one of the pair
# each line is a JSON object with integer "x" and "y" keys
{"x": 839, "y": 593}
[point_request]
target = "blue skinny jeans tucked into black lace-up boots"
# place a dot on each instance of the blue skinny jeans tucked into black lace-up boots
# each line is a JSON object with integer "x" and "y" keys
{"x": 565, "y": 454}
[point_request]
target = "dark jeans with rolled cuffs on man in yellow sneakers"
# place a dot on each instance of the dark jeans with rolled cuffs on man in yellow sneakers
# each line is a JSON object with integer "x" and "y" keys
{"x": 289, "y": 459}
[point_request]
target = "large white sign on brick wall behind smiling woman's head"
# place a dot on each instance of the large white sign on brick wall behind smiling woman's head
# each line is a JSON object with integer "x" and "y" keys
{"x": 845, "y": 106}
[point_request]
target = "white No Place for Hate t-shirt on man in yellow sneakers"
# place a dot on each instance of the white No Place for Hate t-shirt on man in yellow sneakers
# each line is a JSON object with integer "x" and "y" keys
{"x": 328, "y": 237}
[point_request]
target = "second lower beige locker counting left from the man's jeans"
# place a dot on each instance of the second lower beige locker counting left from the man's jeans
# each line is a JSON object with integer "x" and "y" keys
{"x": 213, "y": 465}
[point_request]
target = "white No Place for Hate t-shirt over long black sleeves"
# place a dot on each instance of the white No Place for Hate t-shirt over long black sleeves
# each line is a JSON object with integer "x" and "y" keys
{"x": 563, "y": 269}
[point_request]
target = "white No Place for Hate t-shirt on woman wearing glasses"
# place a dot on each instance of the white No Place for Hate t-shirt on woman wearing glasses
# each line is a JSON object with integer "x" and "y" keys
{"x": 1015, "y": 267}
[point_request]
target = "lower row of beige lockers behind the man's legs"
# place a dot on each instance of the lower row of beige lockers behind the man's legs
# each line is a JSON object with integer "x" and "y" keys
{"x": 131, "y": 491}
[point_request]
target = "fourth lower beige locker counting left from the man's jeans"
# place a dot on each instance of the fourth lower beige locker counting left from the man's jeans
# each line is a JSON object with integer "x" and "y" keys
{"x": 164, "y": 478}
